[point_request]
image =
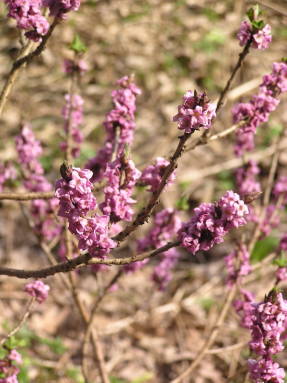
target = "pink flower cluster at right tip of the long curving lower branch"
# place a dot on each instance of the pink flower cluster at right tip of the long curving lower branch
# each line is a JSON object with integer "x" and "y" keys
{"x": 212, "y": 221}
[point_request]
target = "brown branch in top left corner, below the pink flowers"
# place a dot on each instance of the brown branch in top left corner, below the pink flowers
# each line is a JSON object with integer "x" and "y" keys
{"x": 20, "y": 62}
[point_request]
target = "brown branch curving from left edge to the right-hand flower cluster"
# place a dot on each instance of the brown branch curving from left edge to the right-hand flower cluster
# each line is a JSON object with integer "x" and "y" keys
{"x": 81, "y": 260}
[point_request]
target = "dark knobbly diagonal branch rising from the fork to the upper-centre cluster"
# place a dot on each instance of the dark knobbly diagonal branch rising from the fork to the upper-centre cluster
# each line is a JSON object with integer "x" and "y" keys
{"x": 146, "y": 211}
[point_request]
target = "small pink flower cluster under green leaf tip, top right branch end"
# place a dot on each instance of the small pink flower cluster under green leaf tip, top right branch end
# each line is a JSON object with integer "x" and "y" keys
{"x": 259, "y": 38}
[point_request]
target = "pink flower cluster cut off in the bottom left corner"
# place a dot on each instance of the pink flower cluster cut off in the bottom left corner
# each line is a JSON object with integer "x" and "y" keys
{"x": 8, "y": 370}
